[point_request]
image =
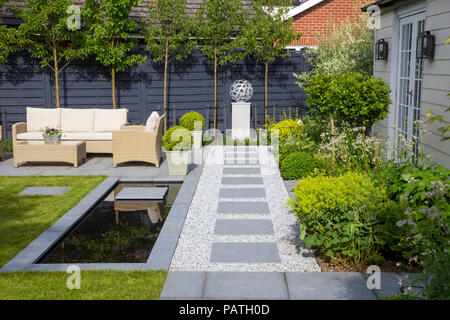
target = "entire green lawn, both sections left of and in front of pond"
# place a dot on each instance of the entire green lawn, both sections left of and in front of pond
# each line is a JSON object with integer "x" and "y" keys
{"x": 23, "y": 218}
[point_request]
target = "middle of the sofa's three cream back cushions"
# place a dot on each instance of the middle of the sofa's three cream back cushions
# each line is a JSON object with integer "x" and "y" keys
{"x": 77, "y": 120}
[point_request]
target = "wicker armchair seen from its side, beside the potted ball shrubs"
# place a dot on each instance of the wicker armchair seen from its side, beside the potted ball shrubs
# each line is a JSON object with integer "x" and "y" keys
{"x": 133, "y": 143}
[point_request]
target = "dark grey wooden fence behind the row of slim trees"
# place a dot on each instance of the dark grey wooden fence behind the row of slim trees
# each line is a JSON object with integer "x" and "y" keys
{"x": 86, "y": 84}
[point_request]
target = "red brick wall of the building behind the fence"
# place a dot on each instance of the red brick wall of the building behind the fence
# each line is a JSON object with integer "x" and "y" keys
{"x": 314, "y": 21}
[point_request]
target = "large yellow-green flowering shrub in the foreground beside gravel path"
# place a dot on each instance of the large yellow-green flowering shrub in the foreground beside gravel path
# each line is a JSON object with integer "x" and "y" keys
{"x": 337, "y": 215}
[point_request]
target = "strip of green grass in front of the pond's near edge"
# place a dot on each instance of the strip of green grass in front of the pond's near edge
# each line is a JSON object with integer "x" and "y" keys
{"x": 95, "y": 285}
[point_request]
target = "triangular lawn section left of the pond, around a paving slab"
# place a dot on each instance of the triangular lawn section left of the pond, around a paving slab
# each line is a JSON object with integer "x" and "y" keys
{"x": 23, "y": 218}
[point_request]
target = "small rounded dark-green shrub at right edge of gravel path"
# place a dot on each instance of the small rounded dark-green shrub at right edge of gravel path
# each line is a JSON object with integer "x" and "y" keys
{"x": 297, "y": 165}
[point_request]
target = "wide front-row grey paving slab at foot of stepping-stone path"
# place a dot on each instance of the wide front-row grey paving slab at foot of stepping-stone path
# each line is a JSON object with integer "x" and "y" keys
{"x": 245, "y": 285}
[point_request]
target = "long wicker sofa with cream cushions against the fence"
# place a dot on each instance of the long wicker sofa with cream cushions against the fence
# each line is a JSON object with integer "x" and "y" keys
{"x": 94, "y": 126}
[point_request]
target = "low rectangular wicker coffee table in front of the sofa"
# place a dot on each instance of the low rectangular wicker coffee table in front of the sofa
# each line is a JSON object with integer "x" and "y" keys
{"x": 37, "y": 151}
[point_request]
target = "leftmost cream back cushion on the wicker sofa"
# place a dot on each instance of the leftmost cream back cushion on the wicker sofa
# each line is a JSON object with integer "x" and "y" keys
{"x": 39, "y": 118}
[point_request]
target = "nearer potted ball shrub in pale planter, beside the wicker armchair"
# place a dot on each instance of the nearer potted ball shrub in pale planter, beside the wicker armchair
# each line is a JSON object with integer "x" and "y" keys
{"x": 178, "y": 142}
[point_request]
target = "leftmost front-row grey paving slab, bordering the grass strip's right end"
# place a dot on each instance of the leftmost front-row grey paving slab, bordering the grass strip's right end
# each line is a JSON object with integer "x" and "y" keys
{"x": 183, "y": 285}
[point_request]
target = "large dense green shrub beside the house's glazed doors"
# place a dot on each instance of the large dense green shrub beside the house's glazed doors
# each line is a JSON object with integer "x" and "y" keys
{"x": 351, "y": 97}
